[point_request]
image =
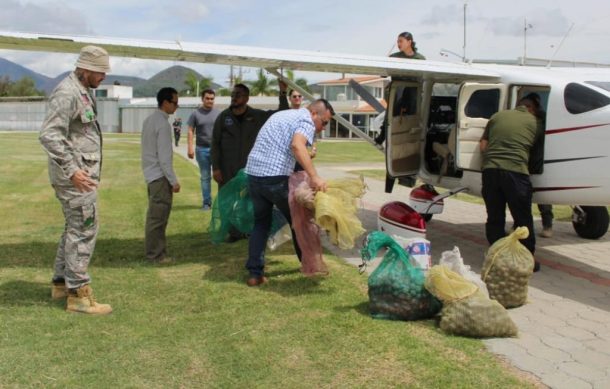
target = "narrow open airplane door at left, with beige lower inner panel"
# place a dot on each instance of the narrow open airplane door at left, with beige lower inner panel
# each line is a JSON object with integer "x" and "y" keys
{"x": 404, "y": 131}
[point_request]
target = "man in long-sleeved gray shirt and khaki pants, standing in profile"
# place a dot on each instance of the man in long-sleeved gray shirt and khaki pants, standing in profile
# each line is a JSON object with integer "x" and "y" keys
{"x": 157, "y": 165}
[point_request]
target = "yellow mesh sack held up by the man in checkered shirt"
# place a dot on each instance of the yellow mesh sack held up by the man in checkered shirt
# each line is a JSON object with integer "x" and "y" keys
{"x": 335, "y": 210}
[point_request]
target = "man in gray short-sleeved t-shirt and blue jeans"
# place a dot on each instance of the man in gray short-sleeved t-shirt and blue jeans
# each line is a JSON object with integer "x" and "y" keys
{"x": 201, "y": 124}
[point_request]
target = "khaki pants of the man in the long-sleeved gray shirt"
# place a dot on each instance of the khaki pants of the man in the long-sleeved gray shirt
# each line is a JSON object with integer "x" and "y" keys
{"x": 160, "y": 197}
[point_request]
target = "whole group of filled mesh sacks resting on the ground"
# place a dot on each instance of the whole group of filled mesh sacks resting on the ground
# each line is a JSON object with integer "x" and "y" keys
{"x": 466, "y": 304}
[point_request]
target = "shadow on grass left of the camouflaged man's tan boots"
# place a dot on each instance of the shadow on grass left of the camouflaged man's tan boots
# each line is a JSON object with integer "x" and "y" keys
{"x": 26, "y": 293}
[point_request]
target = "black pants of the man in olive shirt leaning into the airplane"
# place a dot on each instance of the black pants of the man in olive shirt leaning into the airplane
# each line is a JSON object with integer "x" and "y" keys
{"x": 502, "y": 187}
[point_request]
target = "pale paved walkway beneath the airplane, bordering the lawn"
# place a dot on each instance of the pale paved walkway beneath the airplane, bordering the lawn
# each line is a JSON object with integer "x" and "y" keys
{"x": 564, "y": 330}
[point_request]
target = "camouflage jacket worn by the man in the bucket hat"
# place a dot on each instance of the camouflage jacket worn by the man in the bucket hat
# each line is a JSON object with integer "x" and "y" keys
{"x": 70, "y": 133}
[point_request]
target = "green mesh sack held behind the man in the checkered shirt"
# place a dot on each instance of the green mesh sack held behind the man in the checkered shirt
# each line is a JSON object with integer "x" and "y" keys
{"x": 233, "y": 208}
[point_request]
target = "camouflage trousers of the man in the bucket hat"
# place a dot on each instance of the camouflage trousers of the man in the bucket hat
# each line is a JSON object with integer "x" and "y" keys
{"x": 77, "y": 242}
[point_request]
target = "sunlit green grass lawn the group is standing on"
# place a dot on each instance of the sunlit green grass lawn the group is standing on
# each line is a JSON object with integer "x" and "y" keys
{"x": 196, "y": 323}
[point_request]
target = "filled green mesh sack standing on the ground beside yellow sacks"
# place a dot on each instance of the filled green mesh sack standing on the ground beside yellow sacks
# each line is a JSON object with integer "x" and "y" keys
{"x": 396, "y": 288}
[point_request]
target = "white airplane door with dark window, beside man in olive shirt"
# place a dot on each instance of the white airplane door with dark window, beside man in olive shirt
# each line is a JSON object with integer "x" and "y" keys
{"x": 476, "y": 103}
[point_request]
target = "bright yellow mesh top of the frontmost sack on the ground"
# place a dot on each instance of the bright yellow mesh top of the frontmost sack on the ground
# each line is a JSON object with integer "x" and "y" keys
{"x": 447, "y": 285}
